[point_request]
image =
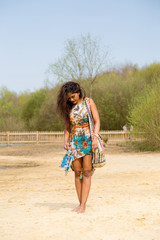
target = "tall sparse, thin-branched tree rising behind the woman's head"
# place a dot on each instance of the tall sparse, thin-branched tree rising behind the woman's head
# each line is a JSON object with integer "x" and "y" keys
{"x": 83, "y": 59}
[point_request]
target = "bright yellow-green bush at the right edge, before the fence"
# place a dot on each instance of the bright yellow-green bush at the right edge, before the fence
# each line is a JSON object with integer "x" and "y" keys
{"x": 145, "y": 116}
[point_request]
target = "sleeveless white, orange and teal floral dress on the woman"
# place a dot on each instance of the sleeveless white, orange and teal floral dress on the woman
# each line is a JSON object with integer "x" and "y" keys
{"x": 80, "y": 142}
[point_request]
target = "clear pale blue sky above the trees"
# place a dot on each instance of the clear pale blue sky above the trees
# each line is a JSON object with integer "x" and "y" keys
{"x": 33, "y": 33}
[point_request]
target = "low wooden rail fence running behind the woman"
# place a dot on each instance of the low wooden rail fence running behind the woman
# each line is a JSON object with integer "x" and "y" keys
{"x": 39, "y": 137}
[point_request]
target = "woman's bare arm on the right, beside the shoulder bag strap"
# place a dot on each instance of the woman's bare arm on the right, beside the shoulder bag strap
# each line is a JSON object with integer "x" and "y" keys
{"x": 96, "y": 119}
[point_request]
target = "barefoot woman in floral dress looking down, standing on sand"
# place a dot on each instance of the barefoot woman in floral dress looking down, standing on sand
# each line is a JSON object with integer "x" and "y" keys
{"x": 77, "y": 137}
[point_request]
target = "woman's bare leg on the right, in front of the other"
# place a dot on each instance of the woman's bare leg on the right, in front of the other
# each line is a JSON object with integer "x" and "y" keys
{"x": 86, "y": 182}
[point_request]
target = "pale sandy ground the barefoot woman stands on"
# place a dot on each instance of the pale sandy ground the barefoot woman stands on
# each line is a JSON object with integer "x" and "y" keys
{"x": 36, "y": 198}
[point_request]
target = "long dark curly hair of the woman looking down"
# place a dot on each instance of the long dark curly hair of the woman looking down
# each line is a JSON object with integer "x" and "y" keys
{"x": 64, "y": 106}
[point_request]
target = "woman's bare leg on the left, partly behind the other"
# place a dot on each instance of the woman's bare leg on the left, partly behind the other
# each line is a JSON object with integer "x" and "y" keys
{"x": 77, "y": 166}
